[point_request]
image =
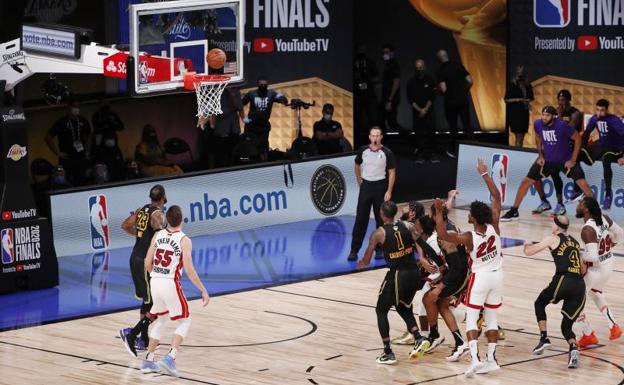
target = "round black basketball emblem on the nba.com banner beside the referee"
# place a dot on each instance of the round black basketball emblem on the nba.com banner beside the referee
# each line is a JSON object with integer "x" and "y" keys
{"x": 328, "y": 189}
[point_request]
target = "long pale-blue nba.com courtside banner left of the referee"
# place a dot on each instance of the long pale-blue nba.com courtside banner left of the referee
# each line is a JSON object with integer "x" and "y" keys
{"x": 90, "y": 220}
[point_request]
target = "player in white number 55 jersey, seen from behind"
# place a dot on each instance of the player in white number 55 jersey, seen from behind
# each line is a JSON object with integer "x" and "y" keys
{"x": 170, "y": 250}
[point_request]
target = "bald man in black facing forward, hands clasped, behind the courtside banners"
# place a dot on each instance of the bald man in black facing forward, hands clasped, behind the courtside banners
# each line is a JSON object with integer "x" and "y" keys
{"x": 421, "y": 90}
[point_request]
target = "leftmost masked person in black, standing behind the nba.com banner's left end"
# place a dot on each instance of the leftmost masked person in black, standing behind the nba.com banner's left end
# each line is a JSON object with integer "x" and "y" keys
{"x": 73, "y": 150}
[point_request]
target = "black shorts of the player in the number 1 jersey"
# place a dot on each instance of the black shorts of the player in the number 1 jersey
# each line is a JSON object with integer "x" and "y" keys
{"x": 399, "y": 287}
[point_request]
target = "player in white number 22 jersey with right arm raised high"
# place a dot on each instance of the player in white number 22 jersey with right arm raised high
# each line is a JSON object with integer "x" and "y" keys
{"x": 485, "y": 286}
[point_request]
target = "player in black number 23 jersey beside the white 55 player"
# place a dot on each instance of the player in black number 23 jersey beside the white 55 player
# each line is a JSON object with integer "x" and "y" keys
{"x": 143, "y": 223}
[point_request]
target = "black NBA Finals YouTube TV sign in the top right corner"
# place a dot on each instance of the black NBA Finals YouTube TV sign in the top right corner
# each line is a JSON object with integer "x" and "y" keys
{"x": 578, "y": 39}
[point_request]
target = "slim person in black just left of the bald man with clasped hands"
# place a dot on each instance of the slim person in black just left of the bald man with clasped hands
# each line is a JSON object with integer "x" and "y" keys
{"x": 390, "y": 89}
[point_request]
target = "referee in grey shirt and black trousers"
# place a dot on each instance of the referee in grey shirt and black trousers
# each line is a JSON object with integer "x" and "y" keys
{"x": 375, "y": 170}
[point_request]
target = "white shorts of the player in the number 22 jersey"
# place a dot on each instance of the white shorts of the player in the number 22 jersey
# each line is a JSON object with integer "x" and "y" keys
{"x": 485, "y": 289}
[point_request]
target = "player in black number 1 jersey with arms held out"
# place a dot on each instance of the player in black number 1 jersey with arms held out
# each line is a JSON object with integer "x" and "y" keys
{"x": 397, "y": 239}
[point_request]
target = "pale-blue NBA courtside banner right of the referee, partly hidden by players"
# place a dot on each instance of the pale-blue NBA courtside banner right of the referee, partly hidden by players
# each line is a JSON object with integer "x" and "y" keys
{"x": 508, "y": 167}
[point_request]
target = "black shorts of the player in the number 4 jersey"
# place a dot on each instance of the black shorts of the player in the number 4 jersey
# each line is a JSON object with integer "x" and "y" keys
{"x": 569, "y": 290}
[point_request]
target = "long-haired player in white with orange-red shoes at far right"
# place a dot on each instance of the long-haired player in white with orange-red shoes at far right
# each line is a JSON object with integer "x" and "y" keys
{"x": 599, "y": 234}
